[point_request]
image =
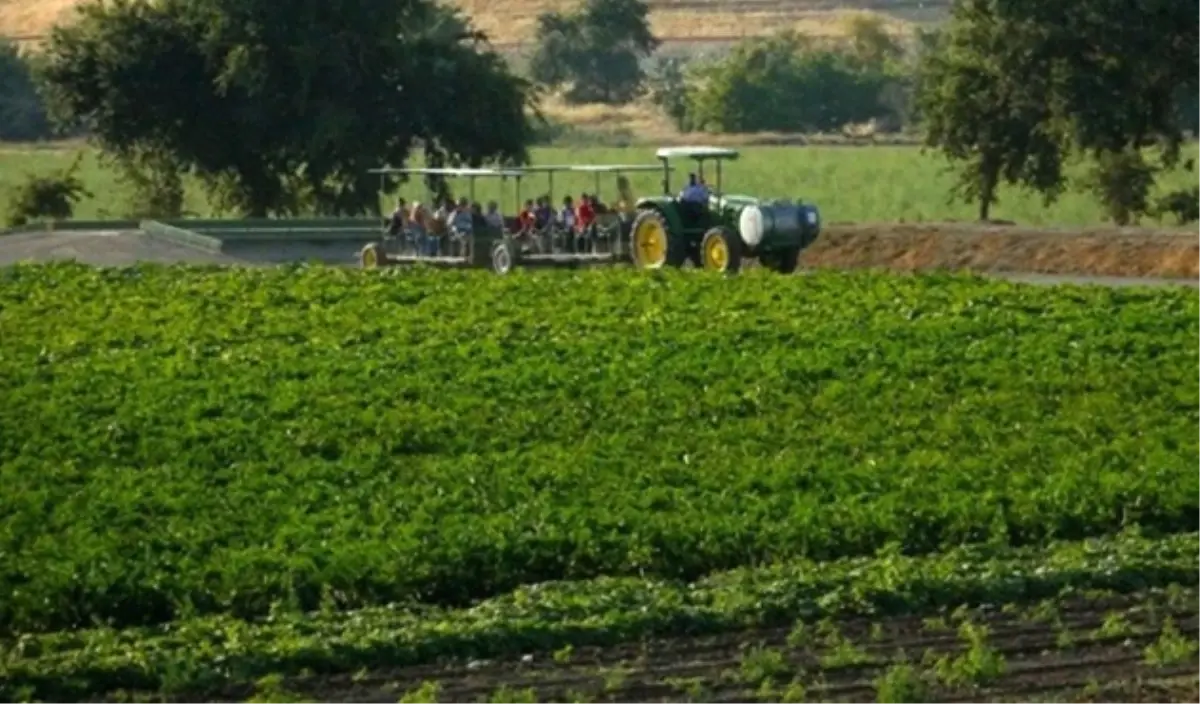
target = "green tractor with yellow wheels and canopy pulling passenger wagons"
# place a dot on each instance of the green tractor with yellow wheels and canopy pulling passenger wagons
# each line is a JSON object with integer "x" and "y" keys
{"x": 718, "y": 231}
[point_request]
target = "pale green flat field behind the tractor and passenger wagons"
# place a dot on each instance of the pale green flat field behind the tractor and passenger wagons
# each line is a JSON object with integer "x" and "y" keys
{"x": 863, "y": 184}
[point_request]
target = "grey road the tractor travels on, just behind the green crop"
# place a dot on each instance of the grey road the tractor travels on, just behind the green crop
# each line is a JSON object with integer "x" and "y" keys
{"x": 118, "y": 248}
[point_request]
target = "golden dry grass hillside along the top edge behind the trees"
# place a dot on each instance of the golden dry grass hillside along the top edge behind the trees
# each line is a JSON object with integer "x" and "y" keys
{"x": 512, "y": 22}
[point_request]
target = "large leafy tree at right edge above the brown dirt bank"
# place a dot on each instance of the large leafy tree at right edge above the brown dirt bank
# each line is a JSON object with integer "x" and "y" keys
{"x": 1015, "y": 87}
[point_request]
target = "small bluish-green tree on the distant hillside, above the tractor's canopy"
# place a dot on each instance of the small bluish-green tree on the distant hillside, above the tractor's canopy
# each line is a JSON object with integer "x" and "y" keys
{"x": 596, "y": 52}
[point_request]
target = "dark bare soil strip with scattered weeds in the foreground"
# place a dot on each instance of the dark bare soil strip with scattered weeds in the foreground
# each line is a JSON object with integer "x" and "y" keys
{"x": 1065, "y": 654}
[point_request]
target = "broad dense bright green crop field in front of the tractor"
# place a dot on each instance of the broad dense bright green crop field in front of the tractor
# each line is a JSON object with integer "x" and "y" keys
{"x": 188, "y": 442}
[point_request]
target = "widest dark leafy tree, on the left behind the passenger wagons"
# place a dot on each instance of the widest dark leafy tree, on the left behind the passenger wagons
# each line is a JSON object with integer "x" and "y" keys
{"x": 283, "y": 109}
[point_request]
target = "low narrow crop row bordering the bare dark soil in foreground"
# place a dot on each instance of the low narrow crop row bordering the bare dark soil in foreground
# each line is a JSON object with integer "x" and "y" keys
{"x": 209, "y": 653}
